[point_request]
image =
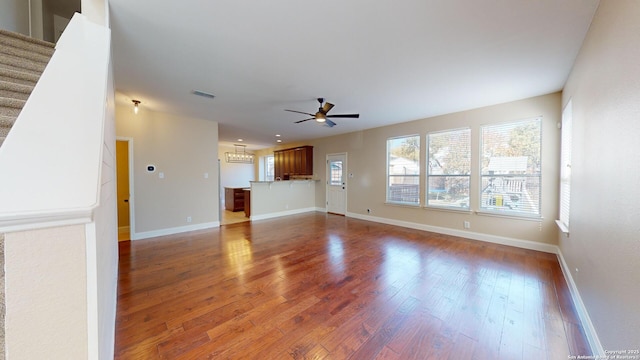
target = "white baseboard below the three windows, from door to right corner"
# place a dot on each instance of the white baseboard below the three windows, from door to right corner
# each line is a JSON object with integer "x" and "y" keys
{"x": 524, "y": 244}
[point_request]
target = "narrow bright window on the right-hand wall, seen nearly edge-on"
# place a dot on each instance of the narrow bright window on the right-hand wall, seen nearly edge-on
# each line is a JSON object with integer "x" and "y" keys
{"x": 565, "y": 167}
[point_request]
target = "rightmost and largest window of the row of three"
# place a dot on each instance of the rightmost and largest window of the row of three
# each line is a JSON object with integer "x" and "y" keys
{"x": 510, "y": 168}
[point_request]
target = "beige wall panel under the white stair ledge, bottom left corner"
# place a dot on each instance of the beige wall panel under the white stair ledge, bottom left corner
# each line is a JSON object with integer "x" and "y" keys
{"x": 46, "y": 297}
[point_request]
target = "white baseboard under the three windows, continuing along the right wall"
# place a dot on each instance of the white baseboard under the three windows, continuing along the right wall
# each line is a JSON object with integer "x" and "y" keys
{"x": 589, "y": 329}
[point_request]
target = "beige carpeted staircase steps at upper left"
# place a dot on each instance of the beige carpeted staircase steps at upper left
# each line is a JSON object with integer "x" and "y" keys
{"x": 22, "y": 61}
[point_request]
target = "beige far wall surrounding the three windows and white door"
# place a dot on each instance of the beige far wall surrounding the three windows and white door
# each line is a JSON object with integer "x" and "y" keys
{"x": 366, "y": 152}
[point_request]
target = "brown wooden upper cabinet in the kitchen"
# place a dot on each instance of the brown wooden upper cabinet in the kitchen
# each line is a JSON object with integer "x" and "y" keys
{"x": 294, "y": 162}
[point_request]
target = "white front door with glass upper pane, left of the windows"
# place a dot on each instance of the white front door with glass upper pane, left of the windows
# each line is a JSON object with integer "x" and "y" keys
{"x": 337, "y": 183}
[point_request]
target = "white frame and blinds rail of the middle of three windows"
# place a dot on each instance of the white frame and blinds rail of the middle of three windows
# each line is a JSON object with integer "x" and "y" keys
{"x": 462, "y": 206}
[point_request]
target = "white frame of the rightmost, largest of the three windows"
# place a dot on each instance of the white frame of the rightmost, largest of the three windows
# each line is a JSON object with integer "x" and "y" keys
{"x": 506, "y": 210}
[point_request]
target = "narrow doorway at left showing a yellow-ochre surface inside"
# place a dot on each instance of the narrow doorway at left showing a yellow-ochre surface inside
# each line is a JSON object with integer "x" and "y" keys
{"x": 123, "y": 188}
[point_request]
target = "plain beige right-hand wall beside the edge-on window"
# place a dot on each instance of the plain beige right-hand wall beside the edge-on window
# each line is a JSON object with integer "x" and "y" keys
{"x": 603, "y": 245}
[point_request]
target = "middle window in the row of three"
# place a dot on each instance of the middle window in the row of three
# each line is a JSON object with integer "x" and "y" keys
{"x": 449, "y": 168}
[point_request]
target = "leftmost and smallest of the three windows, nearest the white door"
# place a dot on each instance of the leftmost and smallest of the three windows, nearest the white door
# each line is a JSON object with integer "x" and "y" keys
{"x": 403, "y": 170}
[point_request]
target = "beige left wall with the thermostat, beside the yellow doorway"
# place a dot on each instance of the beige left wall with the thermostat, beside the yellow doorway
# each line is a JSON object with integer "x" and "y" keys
{"x": 181, "y": 148}
